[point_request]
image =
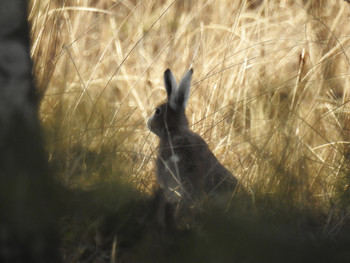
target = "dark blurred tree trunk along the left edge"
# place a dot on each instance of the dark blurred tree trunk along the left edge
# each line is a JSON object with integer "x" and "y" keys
{"x": 27, "y": 231}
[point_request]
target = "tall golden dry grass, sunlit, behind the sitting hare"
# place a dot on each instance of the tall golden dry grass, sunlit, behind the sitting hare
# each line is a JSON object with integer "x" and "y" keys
{"x": 270, "y": 91}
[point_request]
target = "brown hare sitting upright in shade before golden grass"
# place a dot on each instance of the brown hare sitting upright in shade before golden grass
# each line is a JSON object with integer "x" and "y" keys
{"x": 186, "y": 168}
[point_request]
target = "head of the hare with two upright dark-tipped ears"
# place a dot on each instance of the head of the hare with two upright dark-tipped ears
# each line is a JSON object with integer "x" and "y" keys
{"x": 170, "y": 116}
